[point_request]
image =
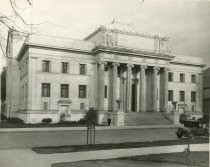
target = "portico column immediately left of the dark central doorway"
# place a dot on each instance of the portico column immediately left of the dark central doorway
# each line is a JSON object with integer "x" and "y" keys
{"x": 128, "y": 88}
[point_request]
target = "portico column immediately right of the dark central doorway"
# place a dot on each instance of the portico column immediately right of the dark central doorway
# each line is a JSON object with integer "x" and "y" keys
{"x": 143, "y": 89}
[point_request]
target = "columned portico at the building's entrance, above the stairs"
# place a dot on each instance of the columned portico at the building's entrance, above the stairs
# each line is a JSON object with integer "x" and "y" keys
{"x": 132, "y": 87}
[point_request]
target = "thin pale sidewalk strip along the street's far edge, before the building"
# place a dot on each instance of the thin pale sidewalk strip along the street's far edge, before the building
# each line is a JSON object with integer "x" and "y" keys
{"x": 8, "y": 130}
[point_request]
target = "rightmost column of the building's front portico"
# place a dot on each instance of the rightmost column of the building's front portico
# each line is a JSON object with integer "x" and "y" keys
{"x": 165, "y": 97}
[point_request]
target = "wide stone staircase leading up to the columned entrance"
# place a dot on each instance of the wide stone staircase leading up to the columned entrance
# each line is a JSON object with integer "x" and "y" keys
{"x": 148, "y": 118}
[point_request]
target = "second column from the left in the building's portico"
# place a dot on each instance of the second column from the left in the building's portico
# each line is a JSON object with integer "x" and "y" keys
{"x": 114, "y": 88}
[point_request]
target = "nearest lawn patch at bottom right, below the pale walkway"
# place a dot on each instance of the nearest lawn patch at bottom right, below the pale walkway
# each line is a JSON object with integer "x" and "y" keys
{"x": 158, "y": 160}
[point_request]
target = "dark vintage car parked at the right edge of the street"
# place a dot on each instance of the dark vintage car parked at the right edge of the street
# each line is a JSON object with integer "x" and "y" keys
{"x": 192, "y": 128}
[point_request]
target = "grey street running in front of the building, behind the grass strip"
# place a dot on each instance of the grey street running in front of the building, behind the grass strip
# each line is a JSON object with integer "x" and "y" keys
{"x": 78, "y": 137}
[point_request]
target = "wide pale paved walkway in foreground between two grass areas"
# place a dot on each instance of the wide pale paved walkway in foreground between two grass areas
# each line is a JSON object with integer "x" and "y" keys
{"x": 28, "y": 158}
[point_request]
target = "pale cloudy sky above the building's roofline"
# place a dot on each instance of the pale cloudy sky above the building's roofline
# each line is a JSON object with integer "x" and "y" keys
{"x": 186, "y": 22}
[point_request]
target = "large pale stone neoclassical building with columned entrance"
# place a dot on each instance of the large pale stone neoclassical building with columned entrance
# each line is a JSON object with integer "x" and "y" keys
{"x": 123, "y": 74}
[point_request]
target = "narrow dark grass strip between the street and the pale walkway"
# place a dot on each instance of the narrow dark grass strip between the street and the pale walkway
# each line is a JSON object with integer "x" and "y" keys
{"x": 77, "y": 148}
